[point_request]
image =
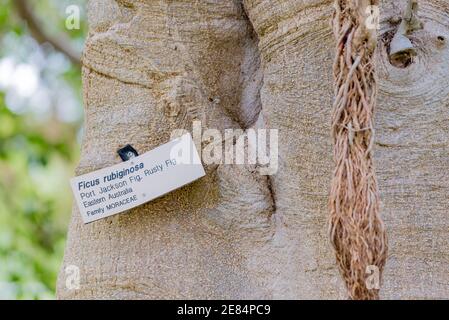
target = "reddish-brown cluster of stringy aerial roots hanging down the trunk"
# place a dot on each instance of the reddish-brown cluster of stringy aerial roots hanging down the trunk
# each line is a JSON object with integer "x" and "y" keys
{"x": 356, "y": 229}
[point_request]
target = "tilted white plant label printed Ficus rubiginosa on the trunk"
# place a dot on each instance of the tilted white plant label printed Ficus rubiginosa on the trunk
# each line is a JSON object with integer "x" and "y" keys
{"x": 115, "y": 189}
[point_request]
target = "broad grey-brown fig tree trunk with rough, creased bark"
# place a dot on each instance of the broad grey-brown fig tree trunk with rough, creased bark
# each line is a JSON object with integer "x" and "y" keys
{"x": 153, "y": 66}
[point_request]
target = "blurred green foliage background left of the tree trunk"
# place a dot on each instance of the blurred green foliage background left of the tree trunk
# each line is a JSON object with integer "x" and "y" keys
{"x": 41, "y": 119}
